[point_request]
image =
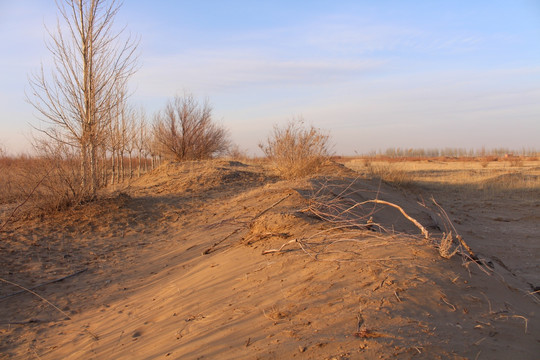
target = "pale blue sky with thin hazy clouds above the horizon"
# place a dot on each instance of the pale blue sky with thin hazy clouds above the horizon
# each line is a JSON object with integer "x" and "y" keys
{"x": 373, "y": 74}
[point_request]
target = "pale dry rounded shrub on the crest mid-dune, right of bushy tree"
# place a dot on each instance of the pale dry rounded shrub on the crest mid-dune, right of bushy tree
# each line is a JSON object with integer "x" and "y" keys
{"x": 296, "y": 150}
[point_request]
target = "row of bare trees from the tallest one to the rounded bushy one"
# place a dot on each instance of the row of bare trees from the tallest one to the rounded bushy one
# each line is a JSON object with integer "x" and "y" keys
{"x": 83, "y": 102}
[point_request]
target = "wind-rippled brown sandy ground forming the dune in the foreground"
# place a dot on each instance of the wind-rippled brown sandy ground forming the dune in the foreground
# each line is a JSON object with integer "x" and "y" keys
{"x": 174, "y": 267}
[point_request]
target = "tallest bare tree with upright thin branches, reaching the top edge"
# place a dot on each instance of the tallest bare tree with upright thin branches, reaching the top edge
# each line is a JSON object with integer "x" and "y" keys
{"x": 91, "y": 63}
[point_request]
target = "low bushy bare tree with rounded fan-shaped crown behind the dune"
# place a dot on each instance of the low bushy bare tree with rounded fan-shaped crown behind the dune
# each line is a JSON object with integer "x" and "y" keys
{"x": 185, "y": 130}
